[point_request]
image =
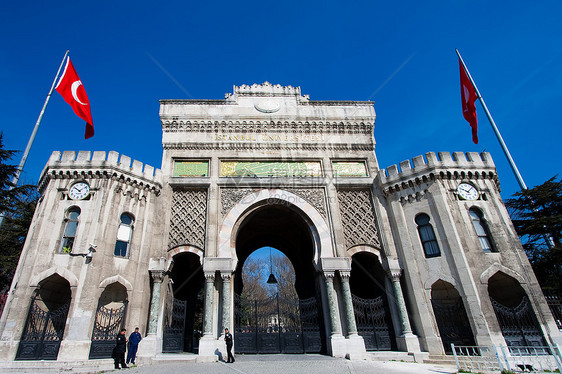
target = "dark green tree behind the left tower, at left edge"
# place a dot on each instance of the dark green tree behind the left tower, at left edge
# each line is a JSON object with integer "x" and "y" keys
{"x": 18, "y": 205}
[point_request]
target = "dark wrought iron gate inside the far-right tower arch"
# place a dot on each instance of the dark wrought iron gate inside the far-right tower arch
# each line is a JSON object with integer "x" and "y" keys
{"x": 519, "y": 324}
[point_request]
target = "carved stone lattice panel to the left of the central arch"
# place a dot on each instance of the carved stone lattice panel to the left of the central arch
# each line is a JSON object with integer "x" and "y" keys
{"x": 189, "y": 216}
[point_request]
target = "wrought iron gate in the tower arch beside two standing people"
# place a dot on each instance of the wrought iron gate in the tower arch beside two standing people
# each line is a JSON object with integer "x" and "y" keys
{"x": 107, "y": 325}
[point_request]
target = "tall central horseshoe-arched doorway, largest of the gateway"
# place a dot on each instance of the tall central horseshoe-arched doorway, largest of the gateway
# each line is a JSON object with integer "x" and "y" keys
{"x": 280, "y": 320}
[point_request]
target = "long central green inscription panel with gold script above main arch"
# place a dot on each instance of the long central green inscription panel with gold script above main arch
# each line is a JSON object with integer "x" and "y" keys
{"x": 270, "y": 169}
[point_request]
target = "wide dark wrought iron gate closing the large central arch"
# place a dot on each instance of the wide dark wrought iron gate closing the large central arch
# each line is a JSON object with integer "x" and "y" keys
{"x": 277, "y": 325}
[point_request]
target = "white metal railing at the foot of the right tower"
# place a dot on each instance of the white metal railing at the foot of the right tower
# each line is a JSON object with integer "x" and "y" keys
{"x": 546, "y": 359}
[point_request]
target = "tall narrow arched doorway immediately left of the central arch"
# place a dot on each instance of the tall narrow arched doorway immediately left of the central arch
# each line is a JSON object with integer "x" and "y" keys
{"x": 183, "y": 320}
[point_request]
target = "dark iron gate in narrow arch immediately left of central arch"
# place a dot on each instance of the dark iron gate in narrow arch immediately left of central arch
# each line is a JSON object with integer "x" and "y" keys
{"x": 174, "y": 326}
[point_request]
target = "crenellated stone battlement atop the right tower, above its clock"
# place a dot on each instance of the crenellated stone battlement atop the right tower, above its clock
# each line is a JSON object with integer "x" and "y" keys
{"x": 464, "y": 165}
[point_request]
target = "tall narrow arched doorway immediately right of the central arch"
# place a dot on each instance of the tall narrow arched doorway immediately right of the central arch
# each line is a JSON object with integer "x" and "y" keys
{"x": 370, "y": 303}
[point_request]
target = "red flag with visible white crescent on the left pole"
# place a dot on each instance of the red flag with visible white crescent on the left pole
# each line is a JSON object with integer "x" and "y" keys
{"x": 72, "y": 91}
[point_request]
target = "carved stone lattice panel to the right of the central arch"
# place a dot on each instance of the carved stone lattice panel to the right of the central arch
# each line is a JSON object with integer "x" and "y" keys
{"x": 358, "y": 219}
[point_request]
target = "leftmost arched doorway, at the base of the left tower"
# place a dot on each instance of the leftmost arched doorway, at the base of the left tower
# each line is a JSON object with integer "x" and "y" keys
{"x": 46, "y": 320}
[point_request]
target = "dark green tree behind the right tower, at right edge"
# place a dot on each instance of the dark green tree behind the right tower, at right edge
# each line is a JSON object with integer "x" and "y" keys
{"x": 537, "y": 216}
